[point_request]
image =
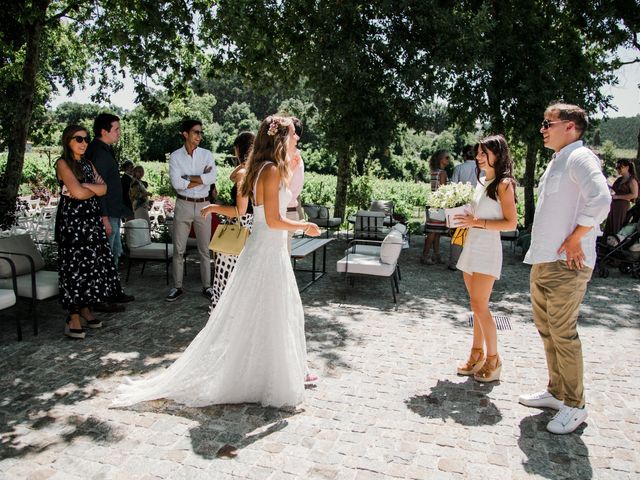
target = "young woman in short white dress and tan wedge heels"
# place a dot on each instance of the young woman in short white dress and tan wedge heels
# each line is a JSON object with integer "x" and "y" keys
{"x": 494, "y": 210}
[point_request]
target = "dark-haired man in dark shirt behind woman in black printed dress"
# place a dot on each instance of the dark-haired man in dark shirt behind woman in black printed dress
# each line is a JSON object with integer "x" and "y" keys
{"x": 106, "y": 130}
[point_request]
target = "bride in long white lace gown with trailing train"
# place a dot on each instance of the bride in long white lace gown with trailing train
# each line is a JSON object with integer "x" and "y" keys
{"x": 253, "y": 347}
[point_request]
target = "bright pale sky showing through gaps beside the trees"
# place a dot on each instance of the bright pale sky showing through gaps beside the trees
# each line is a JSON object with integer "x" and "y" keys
{"x": 626, "y": 95}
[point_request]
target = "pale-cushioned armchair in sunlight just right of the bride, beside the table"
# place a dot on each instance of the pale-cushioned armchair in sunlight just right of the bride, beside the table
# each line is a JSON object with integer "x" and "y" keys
{"x": 369, "y": 262}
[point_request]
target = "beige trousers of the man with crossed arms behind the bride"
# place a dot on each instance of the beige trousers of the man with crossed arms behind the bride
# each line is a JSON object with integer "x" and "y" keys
{"x": 185, "y": 214}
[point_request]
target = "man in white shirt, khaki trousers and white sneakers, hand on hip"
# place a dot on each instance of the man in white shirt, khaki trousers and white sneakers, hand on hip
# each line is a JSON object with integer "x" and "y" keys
{"x": 573, "y": 200}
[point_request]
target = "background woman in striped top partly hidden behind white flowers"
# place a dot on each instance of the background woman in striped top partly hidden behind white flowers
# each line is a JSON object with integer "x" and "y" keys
{"x": 435, "y": 224}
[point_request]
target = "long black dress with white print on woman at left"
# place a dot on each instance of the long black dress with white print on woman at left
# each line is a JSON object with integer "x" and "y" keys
{"x": 86, "y": 272}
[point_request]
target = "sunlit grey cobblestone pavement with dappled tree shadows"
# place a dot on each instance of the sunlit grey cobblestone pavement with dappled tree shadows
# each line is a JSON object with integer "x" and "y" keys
{"x": 388, "y": 403}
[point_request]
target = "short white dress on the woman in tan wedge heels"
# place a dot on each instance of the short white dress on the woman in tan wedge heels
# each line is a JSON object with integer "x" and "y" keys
{"x": 482, "y": 251}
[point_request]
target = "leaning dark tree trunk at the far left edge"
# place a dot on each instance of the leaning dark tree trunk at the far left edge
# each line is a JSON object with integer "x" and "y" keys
{"x": 22, "y": 120}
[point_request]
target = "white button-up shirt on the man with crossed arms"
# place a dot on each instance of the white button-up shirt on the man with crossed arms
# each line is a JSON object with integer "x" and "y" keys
{"x": 181, "y": 163}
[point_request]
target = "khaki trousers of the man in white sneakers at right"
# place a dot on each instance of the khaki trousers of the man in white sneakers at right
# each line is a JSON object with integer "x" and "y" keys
{"x": 556, "y": 294}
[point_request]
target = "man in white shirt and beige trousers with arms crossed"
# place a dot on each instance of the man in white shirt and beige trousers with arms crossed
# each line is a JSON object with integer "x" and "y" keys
{"x": 192, "y": 171}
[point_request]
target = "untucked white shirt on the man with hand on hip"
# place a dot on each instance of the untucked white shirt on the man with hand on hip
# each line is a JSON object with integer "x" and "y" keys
{"x": 572, "y": 191}
